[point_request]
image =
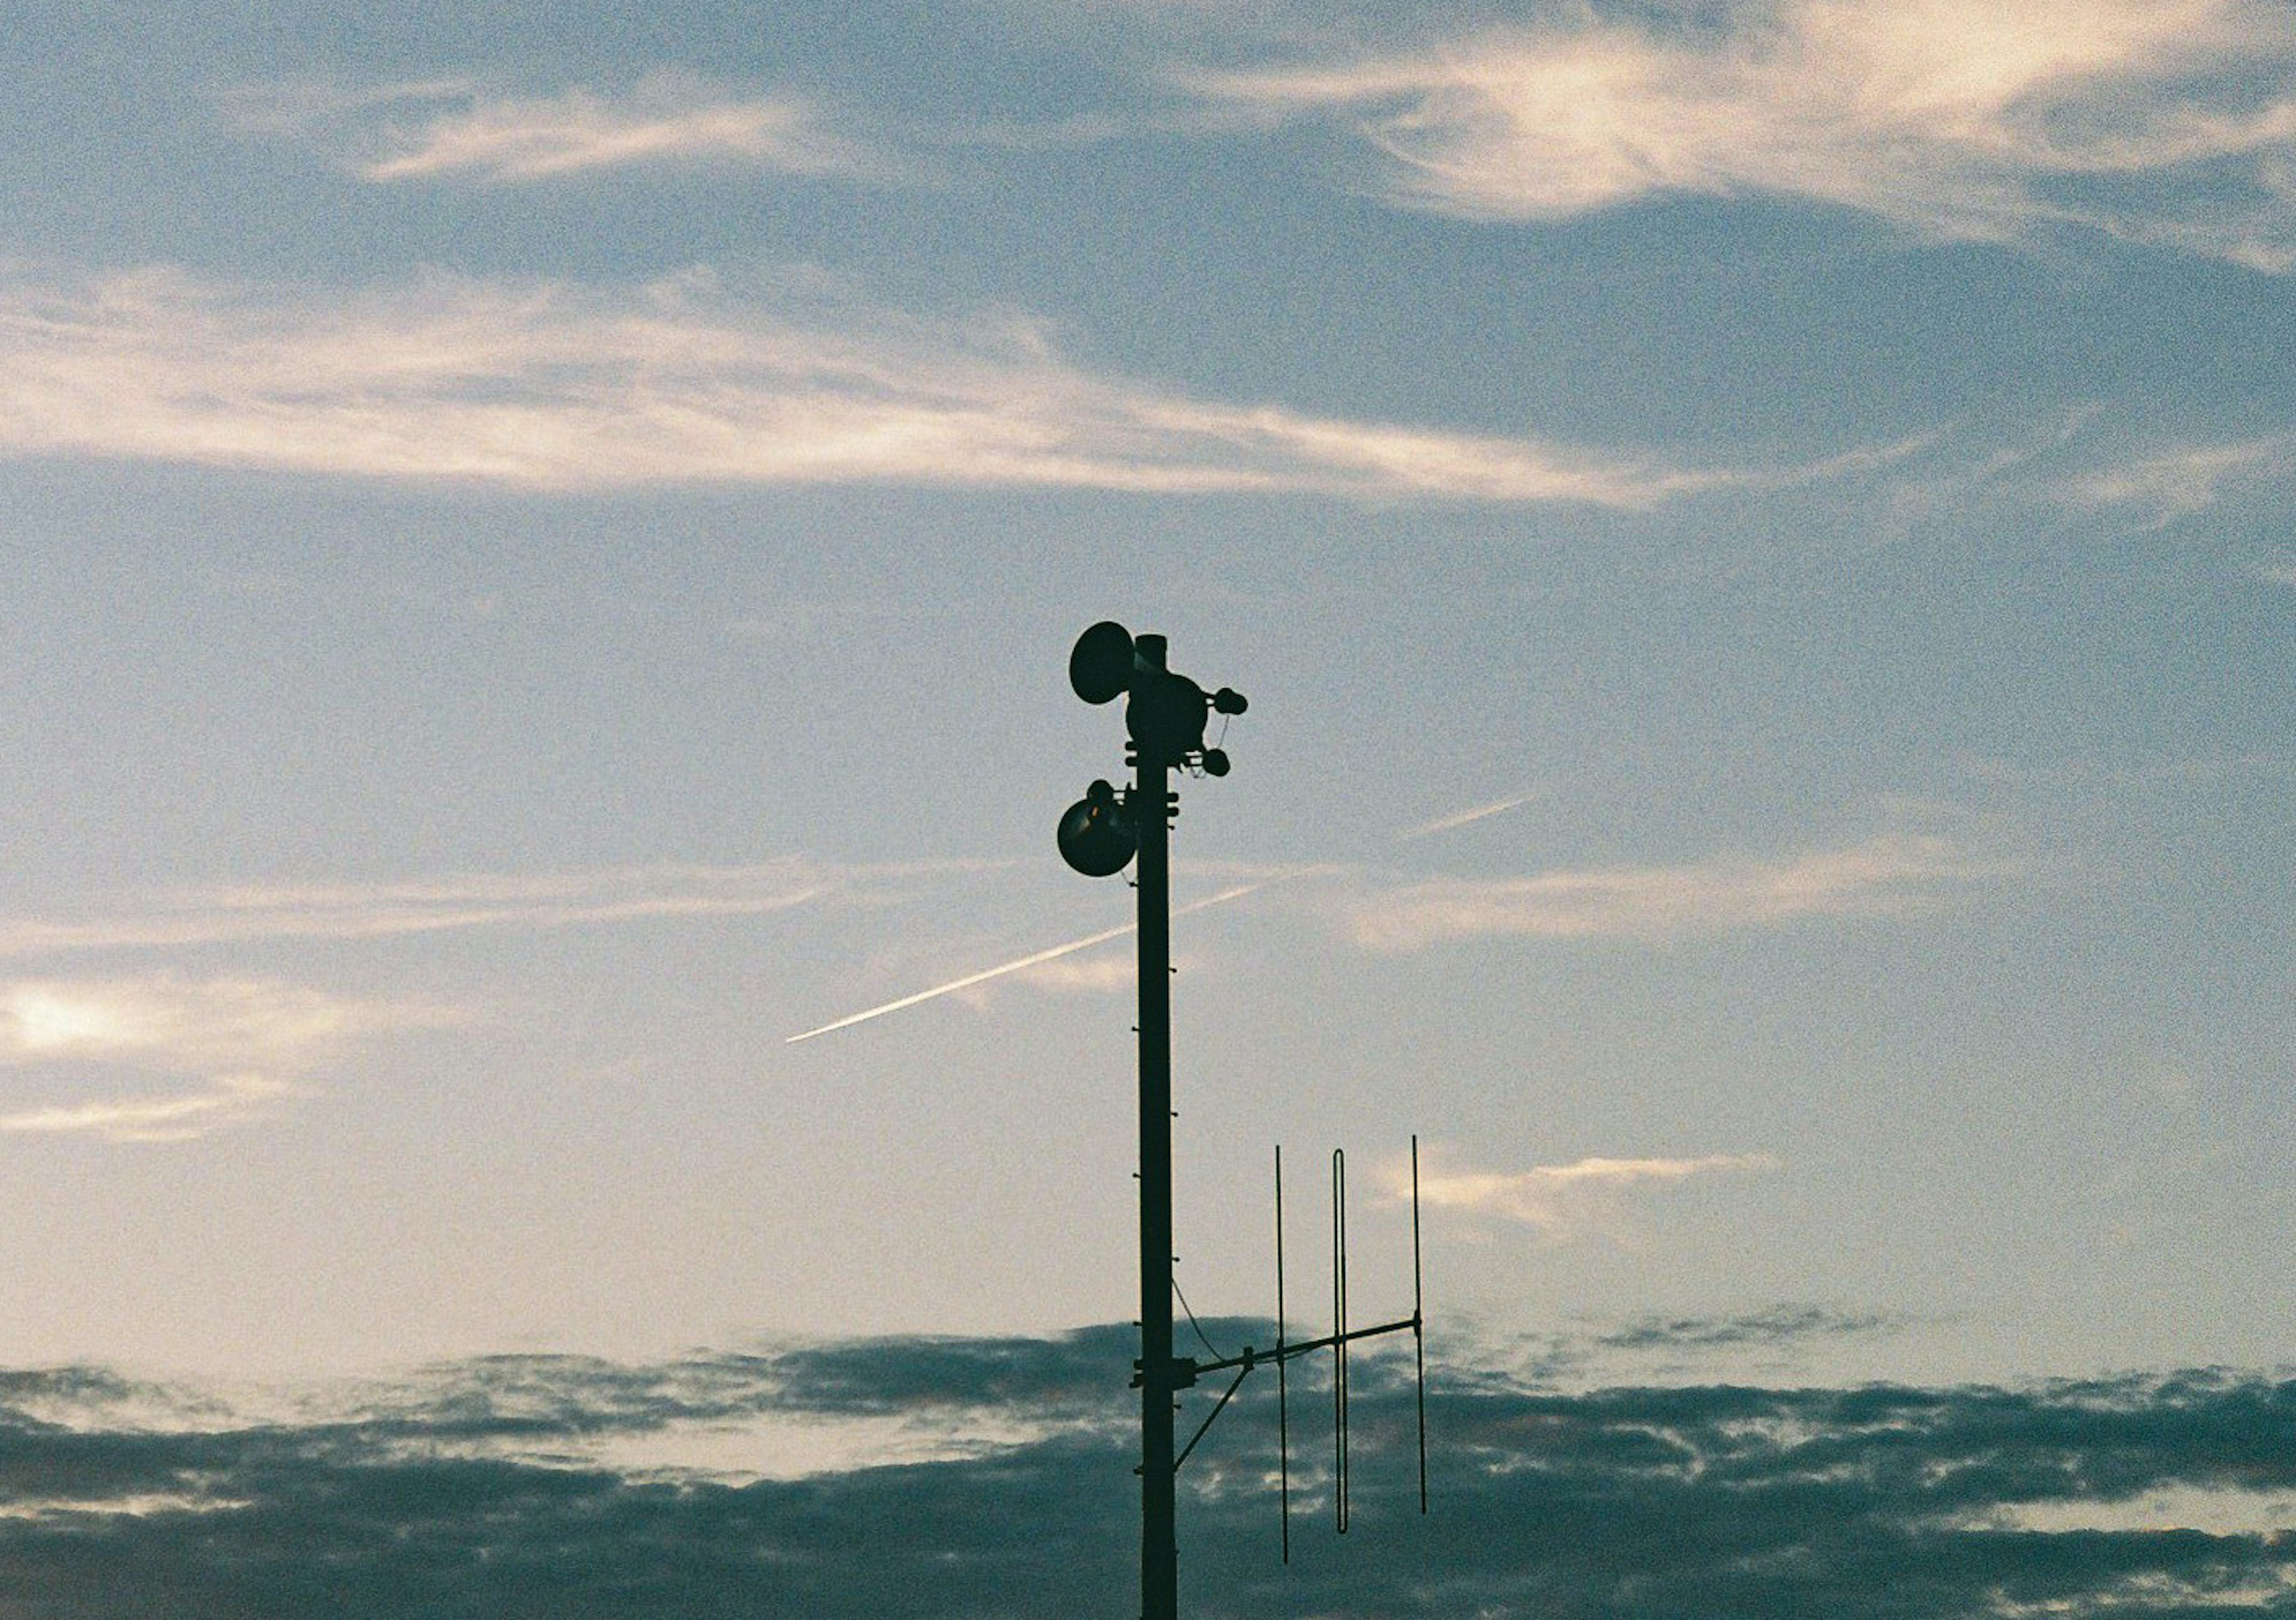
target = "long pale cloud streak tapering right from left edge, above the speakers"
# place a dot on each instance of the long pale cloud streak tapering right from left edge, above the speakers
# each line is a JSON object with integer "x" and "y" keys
{"x": 561, "y": 389}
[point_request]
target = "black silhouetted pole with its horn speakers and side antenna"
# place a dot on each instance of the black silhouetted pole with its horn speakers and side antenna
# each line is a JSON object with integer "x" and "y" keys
{"x": 1101, "y": 835}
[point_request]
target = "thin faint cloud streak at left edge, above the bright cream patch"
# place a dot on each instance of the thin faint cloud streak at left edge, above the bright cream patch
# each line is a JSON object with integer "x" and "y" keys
{"x": 369, "y": 911}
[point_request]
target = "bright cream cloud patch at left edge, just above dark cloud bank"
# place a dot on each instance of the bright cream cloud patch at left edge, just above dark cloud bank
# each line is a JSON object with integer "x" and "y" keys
{"x": 231, "y": 1037}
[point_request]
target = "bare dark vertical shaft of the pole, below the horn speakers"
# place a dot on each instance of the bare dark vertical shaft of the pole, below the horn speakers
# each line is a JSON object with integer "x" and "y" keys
{"x": 1161, "y": 1559}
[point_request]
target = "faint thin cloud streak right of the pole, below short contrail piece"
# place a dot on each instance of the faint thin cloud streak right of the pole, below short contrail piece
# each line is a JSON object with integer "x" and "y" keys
{"x": 1888, "y": 877}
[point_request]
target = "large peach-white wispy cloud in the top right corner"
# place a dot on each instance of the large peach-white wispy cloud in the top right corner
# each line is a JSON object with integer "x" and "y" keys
{"x": 2157, "y": 121}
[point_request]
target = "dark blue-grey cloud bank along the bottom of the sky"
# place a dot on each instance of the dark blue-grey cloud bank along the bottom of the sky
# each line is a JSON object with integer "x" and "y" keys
{"x": 463, "y": 1492}
